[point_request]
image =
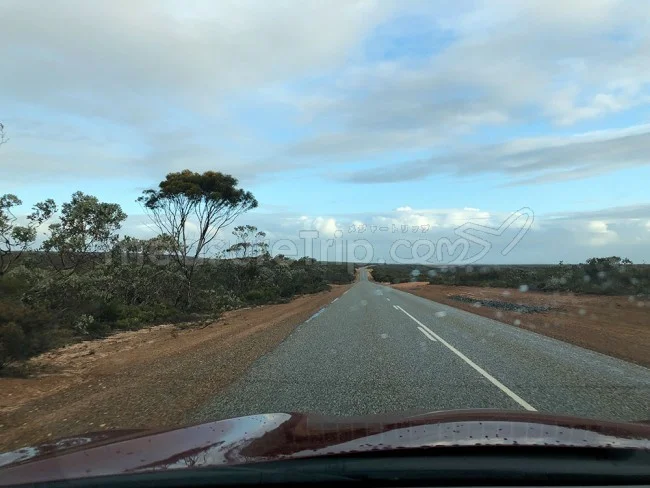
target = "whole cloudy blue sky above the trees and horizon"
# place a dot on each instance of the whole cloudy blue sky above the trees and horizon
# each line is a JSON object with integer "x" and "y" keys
{"x": 385, "y": 126}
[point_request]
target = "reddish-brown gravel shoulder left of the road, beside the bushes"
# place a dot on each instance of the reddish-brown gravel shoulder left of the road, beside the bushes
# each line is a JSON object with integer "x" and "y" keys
{"x": 150, "y": 378}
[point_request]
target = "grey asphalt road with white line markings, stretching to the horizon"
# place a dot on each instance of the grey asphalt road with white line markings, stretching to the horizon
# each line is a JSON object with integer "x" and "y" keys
{"x": 377, "y": 350}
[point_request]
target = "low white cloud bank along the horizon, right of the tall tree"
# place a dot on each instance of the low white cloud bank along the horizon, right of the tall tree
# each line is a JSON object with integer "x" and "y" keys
{"x": 570, "y": 236}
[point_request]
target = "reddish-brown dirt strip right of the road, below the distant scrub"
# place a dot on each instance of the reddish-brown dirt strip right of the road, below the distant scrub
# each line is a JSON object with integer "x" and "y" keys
{"x": 613, "y": 325}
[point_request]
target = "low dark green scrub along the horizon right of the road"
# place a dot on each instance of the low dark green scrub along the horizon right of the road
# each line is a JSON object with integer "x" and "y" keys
{"x": 607, "y": 276}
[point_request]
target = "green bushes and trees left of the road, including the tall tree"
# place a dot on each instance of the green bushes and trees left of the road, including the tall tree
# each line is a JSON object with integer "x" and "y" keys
{"x": 66, "y": 274}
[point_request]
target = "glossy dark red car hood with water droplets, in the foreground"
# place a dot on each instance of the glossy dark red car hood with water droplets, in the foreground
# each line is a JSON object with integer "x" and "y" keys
{"x": 279, "y": 436}
